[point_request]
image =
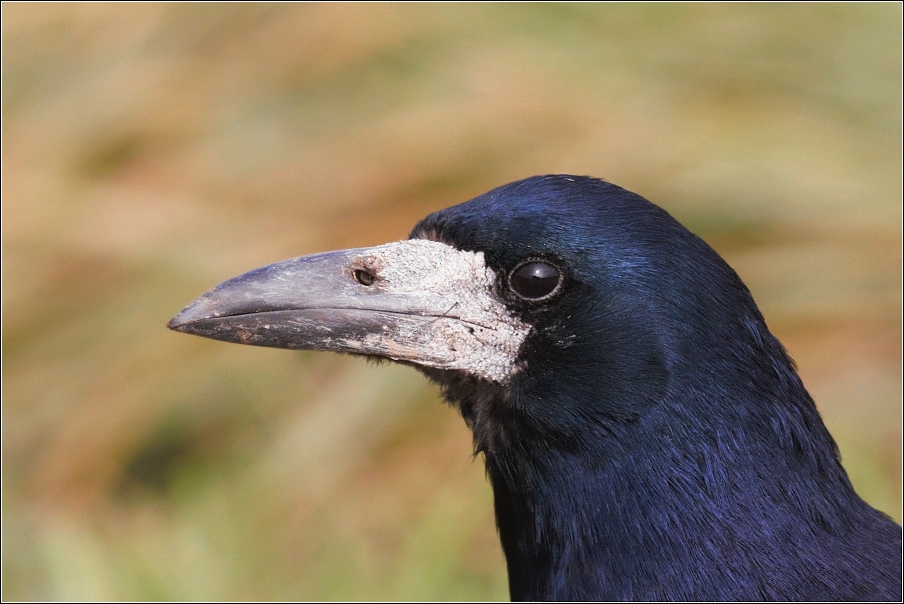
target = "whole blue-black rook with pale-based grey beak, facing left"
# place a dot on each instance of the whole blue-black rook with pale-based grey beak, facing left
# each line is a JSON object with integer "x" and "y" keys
{"x": 646, "y": 436}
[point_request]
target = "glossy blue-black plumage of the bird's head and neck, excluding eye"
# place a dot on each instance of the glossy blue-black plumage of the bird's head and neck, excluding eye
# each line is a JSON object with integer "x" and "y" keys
{"x": 657, "y": 442}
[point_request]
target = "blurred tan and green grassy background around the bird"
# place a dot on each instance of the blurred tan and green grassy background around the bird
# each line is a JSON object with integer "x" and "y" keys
{"x": 151, "y": 151}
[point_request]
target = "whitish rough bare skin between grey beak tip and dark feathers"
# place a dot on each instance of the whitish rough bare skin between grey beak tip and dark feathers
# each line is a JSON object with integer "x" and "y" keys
{"x": 471, "y": 329}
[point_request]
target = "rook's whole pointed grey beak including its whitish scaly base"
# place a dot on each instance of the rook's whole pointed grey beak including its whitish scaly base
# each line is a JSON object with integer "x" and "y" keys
{"x": 417, "y": 301}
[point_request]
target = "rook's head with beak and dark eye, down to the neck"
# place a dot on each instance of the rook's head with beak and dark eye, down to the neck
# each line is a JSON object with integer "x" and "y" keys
{"x": 560, "y": 301}
